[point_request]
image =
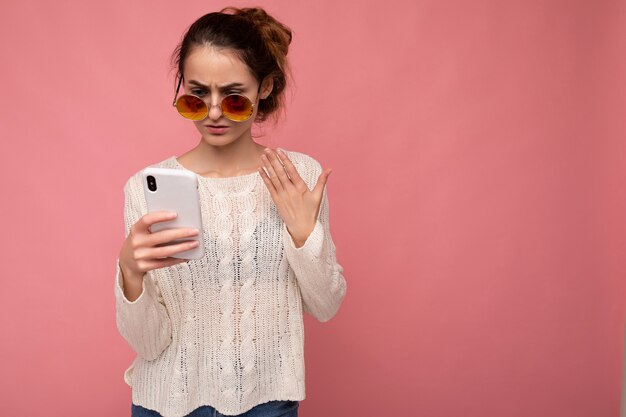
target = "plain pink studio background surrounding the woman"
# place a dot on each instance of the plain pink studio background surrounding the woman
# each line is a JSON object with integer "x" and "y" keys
{"x": 477, "y": 198}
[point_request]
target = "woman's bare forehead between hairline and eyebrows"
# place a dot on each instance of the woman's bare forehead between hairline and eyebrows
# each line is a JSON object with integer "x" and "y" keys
{"x": 216, "y": 67}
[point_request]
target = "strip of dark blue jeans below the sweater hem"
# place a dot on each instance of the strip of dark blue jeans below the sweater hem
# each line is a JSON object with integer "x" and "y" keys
{"x": 268, "y": 409}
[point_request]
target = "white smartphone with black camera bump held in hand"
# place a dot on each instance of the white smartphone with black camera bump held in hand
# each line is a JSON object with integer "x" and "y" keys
{"x": 175, "y": 190}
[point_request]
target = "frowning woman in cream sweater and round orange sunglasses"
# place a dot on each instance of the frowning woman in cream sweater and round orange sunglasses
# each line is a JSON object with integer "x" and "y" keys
{"x": 224, "y": 335}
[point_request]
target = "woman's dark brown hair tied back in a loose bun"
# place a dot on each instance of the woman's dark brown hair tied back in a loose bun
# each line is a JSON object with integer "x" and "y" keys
{"x": 259, "y": 40}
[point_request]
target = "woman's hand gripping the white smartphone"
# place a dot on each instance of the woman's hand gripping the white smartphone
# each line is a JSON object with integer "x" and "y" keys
{"x": 140, "y": 253}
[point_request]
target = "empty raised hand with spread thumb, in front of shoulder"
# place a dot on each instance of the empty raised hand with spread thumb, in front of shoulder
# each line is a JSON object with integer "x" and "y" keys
{"x": 297, "y": 205}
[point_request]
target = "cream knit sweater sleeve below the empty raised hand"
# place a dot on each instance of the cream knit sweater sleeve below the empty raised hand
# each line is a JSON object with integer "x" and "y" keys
{"x": 319, "y": 275}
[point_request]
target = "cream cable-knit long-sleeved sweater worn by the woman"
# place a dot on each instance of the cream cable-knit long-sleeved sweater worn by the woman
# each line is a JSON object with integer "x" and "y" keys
{"x": 227, "y": 330}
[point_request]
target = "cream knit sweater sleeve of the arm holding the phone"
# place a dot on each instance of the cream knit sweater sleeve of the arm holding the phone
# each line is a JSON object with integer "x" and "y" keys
{"x": 144, "y": 323}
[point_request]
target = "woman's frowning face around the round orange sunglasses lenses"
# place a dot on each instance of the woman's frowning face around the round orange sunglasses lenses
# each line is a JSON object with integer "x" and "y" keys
{"x": 212, "y": 74}
